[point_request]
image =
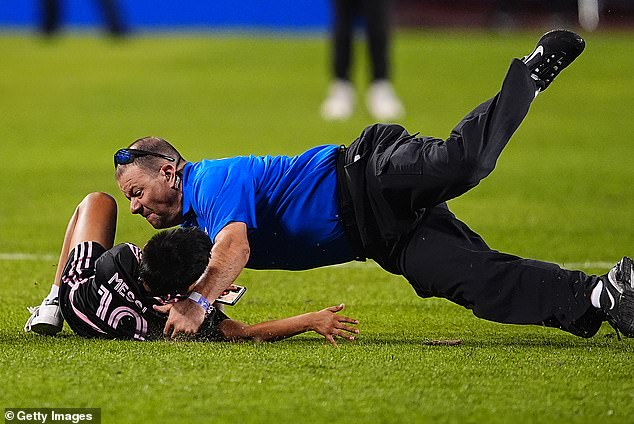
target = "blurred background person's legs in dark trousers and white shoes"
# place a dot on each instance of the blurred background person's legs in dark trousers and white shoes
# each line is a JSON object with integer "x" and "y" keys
{"x": 381, "y": 100}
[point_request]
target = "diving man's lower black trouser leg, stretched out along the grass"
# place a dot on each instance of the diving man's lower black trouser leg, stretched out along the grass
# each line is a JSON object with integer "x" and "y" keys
{"x": 444, "y": 258}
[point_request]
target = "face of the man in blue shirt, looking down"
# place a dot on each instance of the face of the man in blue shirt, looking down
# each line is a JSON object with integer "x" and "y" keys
{"x": 152, "y": 195}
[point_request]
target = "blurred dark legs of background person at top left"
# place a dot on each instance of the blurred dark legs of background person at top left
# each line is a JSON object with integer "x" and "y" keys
{"x": 51, "y": 10}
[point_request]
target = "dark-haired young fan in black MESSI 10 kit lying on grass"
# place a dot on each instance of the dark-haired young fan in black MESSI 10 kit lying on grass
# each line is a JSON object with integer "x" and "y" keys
{"x": 115, "y": 292}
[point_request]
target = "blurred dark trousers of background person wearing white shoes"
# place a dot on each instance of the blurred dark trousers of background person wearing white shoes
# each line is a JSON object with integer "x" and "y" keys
{"x": 376, "y": 16}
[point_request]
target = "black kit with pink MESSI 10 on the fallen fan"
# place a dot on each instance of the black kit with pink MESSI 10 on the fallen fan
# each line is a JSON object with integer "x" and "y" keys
{"x": 101, "y": 296}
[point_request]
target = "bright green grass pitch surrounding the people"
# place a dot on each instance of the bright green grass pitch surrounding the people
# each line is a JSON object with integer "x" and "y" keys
{"x": 561, "y": 192}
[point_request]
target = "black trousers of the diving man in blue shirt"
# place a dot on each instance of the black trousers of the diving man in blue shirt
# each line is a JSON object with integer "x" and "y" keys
{"x": 398, "y": 184}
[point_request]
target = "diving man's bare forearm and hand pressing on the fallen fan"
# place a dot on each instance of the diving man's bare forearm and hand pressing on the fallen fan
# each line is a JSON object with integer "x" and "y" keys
{"x": 229, "y": 256}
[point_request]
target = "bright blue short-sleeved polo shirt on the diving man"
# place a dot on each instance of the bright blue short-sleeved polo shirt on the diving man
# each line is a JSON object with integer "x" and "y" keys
{"x": 289, "y": 204}
